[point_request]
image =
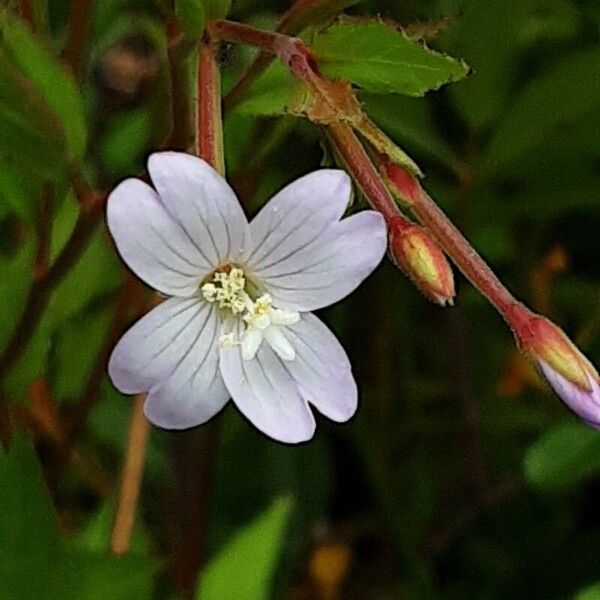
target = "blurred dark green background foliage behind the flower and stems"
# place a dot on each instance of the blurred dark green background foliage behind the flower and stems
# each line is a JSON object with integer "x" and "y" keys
{"x": 460, "y": 476}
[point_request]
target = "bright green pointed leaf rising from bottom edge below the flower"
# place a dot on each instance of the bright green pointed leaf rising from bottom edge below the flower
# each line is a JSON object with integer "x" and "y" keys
{"x": 244, "y": 569}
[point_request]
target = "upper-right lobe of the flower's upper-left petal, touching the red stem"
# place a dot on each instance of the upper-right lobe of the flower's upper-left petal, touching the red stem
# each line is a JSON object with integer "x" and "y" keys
{"x": 202, "y": 202}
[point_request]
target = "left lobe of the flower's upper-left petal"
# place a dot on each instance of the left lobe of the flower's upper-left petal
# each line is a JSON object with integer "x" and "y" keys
{"x": 151, "y": 242}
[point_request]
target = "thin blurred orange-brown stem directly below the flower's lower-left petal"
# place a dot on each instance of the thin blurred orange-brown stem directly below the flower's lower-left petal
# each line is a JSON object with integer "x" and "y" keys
{"x": 131, "y": 478}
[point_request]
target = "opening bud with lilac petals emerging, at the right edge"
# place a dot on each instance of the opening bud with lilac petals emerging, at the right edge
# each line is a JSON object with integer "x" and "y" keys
{"x": 568, "y": 372}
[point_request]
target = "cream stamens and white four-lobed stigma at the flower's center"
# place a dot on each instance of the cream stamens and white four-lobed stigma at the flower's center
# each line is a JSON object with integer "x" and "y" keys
{"x": 230, "y": 290}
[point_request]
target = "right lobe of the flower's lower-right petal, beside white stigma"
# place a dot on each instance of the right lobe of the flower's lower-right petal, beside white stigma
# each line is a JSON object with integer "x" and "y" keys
{"x": 322, "y": 369}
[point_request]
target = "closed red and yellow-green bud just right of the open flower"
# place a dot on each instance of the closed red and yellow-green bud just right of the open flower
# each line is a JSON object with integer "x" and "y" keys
{"x": 421, "y": 259}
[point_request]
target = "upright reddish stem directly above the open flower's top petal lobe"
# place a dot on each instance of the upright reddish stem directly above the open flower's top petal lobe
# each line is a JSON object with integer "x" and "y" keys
{"x": 209, "y": 137}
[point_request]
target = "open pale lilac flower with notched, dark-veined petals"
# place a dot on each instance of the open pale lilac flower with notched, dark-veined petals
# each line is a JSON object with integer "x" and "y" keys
{"x": 237, "y": 323}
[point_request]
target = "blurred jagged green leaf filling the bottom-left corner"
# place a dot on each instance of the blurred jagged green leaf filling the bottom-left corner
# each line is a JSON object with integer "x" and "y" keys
{"x": 37, "y": 562}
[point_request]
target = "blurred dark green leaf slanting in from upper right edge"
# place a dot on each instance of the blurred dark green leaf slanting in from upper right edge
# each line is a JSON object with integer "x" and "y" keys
{"x": 554, "y": 99}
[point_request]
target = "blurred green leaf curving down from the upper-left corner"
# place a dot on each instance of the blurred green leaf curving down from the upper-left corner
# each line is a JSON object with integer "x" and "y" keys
{"x": 47, "y": 76}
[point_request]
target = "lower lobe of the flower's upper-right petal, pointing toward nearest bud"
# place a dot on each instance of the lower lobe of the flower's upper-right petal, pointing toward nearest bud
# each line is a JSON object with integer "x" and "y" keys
{"x": 329, "y": 268}
